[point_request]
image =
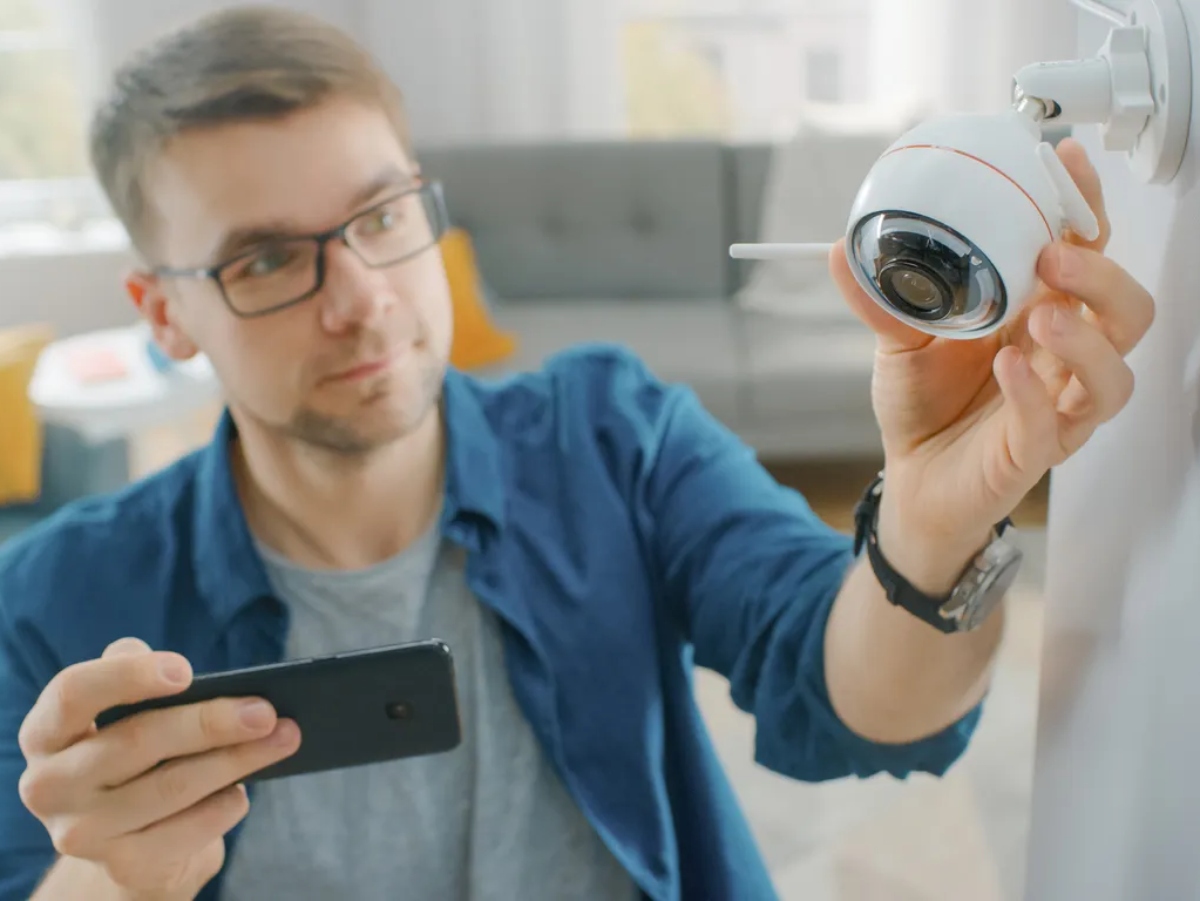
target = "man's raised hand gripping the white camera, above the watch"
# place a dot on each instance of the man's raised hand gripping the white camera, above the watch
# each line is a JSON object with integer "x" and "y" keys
{"x": 970, "y": 428}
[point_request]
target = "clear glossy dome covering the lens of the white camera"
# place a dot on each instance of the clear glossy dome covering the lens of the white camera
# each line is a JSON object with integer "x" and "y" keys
{"x": 928, "y": 272}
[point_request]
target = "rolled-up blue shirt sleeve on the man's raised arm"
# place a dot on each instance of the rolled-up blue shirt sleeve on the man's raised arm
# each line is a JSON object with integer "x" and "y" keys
{"x": 752, "y": 574}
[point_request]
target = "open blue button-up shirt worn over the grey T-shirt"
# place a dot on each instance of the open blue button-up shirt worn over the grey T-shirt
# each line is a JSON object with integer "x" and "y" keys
{"x": 622, "y": 536}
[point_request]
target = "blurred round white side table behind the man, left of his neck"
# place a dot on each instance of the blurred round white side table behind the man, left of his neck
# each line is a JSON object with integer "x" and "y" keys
{"x": 145, "y": 398}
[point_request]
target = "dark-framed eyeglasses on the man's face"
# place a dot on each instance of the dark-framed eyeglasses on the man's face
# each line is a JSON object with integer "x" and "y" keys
{"x": 283, "y": 273}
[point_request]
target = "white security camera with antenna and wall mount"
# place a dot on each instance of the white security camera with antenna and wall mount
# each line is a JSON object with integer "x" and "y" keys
{"x": 949, "y": 225}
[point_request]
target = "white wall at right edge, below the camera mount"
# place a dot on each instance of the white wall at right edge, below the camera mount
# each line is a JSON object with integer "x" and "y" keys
{"x": 1115, "y": 804}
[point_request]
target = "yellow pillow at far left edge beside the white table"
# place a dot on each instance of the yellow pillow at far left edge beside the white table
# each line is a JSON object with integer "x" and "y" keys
{"x": 21, "y": 430}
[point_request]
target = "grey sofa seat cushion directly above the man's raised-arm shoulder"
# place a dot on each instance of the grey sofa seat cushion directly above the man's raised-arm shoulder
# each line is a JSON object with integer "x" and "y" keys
{"x": 695, "y": 343}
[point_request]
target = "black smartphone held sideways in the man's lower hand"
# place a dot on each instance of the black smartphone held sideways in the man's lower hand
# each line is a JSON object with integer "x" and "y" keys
{"x": 355, "y": 708}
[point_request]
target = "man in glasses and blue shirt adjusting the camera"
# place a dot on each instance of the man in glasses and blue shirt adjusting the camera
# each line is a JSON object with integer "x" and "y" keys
{"x": 583, "y": 536}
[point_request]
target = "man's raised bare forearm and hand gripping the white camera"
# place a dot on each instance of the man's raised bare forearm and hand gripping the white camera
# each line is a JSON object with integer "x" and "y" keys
{"x": 969, "y": 428}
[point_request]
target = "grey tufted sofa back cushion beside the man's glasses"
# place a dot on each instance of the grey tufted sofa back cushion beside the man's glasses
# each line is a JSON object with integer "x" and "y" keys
{"x": 584, "y": 220}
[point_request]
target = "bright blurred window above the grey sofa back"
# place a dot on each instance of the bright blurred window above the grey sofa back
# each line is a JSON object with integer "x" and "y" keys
{"x": 754, "y": 70}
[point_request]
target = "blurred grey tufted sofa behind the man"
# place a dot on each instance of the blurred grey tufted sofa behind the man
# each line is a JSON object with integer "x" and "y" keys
{"x": 629, "y": 243}
